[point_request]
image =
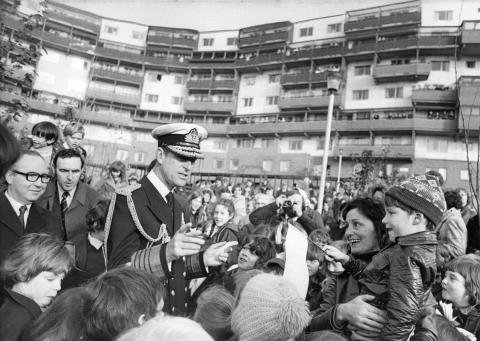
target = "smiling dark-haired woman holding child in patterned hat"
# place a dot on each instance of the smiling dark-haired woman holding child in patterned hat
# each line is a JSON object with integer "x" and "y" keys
{"x": 342, "y": 305}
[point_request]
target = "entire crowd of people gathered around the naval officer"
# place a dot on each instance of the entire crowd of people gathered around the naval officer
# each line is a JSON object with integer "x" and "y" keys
{"x": 123, "y": 258}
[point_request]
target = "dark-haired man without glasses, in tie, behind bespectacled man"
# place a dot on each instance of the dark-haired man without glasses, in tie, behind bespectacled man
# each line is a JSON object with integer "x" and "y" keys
{"x": 66, "y": 196}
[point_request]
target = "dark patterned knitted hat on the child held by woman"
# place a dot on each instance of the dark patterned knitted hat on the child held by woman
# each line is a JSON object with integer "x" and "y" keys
{"x": 422, "y": 194}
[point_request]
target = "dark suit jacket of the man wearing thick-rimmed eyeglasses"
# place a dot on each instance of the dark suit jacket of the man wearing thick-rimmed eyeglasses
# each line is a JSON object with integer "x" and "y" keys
{"x": 39, "y": 221}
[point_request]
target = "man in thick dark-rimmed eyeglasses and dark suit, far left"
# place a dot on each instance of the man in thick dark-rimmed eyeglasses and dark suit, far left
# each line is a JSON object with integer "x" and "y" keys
{"x": 19, "y": 214}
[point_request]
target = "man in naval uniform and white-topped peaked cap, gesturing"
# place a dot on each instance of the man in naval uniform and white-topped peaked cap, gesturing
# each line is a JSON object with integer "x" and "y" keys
{"x": 145, "y": 225}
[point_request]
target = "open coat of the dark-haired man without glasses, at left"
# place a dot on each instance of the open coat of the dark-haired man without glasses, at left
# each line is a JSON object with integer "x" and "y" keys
{"x": 84, "y": 199}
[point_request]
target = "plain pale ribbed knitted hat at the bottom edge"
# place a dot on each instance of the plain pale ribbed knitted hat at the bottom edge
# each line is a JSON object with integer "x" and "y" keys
{"x": 269, "y": 309}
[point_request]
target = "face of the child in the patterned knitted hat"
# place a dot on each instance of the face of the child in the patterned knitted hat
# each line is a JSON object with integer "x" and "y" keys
{"x": 398, "y": 222}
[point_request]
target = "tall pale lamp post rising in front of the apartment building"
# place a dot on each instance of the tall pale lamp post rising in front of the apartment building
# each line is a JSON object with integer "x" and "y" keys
{"x": 333, "y": 84}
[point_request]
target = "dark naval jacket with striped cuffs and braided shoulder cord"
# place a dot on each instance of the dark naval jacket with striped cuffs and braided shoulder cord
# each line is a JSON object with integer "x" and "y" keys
{"x": 127, "y": 244}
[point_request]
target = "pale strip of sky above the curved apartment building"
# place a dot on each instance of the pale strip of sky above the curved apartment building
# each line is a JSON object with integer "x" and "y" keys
{"x": 212, "y": 15}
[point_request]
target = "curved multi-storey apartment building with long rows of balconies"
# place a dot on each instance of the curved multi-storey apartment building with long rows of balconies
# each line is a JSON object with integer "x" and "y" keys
{"x": 411, "y": 75}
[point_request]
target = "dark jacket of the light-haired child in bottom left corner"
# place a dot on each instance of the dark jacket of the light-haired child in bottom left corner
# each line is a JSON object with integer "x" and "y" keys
{"x": 17, "y": 314}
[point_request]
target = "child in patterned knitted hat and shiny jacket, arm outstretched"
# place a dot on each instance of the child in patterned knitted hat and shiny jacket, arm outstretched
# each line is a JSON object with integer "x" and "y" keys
{"x": 401, "y": 275}
